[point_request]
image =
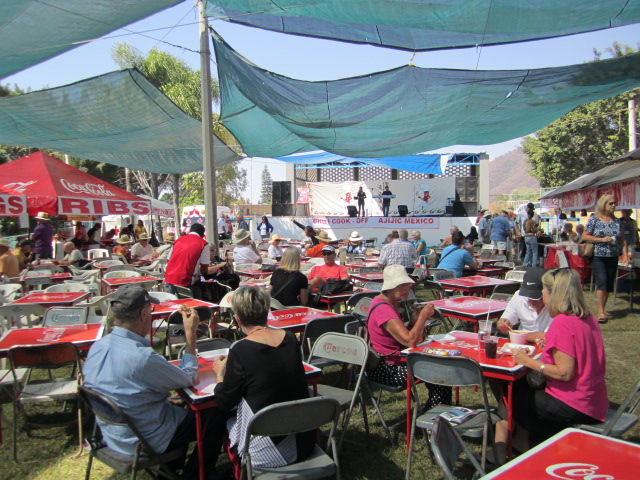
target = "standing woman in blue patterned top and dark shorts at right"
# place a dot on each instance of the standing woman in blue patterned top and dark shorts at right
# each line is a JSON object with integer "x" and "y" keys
{"x": 605, "y": 231}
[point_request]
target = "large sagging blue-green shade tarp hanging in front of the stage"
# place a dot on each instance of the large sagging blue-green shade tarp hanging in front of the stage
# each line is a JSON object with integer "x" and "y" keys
{"x": 405, "y": 110}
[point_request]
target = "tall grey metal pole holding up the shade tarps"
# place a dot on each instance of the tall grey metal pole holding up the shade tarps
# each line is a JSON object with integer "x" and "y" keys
{"x": 208, "y": 161}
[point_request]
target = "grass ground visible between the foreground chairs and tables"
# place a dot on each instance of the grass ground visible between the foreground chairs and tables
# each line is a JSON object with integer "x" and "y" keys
{"x": 377, "y": 460}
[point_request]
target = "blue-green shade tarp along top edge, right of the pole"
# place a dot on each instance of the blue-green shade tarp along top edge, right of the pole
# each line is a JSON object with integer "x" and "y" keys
{"x": 428, "y": 24}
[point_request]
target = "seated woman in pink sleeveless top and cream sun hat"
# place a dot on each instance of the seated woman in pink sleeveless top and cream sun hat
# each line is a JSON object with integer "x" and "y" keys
{"x": 389, "y": 336}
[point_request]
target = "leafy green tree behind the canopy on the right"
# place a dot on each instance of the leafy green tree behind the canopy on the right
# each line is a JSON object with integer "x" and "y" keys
{"x": 582, "y": 140}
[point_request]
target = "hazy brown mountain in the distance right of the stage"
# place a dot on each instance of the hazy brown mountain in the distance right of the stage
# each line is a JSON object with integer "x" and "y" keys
{"x": 509, "y": 173}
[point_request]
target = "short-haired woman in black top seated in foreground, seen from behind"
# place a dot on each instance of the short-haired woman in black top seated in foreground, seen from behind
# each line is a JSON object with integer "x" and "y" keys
{"x": 262, "y": 369}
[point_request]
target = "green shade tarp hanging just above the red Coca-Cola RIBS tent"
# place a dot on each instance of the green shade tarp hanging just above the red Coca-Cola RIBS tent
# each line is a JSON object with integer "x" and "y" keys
{"x": 118, "y": 118}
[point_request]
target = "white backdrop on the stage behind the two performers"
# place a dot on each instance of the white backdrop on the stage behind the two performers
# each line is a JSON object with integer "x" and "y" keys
{"x": 422, "y": 197}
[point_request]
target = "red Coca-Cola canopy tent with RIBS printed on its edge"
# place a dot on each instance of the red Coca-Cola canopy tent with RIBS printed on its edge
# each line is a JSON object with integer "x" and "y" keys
{"x": 56, "y": 188}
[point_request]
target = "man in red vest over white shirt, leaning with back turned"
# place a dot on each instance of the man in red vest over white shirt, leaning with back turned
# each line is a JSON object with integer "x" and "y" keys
{"x": 189, "y": 252}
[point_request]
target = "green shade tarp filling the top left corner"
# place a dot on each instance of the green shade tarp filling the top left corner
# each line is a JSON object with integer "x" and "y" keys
{"x": 32, "y": 31}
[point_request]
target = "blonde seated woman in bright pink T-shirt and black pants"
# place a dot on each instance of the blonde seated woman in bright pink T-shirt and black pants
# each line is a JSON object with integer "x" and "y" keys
{"x": 572, "y": 362}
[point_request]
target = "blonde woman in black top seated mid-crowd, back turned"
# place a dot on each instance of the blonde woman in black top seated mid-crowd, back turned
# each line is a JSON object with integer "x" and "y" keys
{"x": 288, "y": 285}
